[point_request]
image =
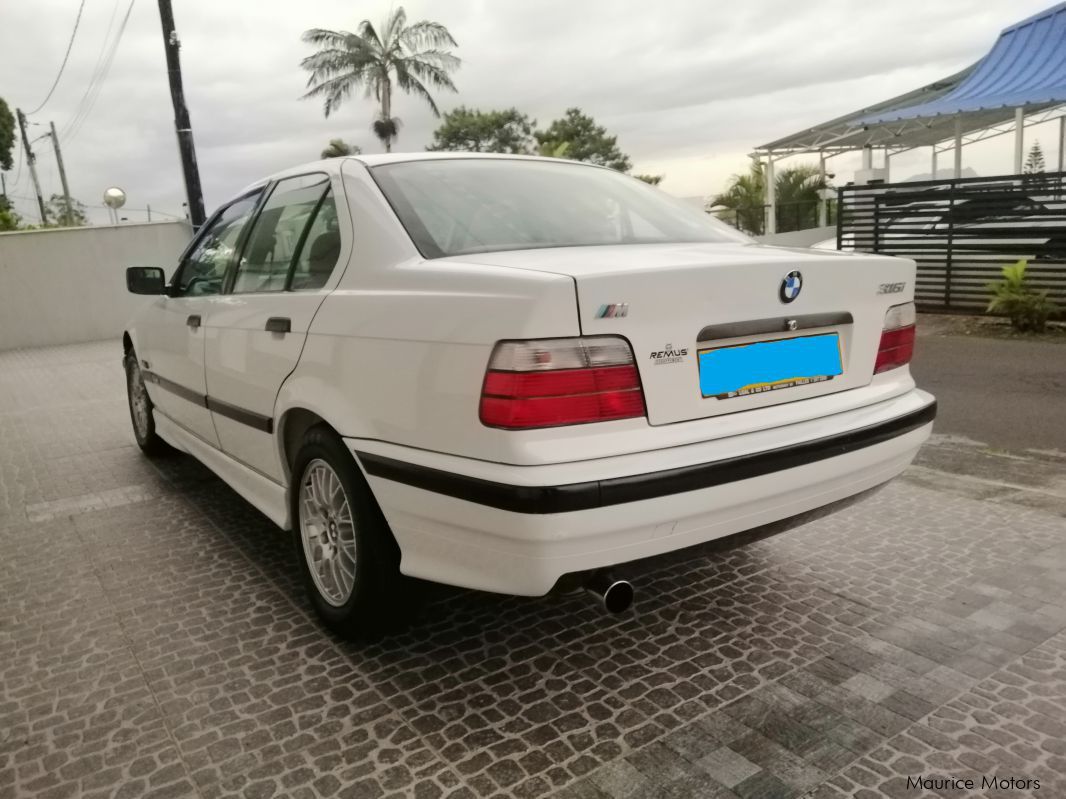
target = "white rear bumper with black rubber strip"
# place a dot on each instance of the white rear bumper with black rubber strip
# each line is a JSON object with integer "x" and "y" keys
{"x": 518, "y": 530}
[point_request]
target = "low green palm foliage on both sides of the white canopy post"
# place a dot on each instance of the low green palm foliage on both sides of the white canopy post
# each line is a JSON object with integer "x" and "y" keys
{"x": 798, "y": 194}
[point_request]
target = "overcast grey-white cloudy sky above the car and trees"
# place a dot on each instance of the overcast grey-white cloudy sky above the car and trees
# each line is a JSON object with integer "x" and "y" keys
{"x": 689, "y": 87}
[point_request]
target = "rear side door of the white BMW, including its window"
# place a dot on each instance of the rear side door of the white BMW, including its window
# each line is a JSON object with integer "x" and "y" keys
{"x": 256, "y": 331}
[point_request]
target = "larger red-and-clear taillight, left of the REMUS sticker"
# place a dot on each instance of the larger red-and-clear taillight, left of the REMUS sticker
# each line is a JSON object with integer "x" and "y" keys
{"x": 548, "y": 383}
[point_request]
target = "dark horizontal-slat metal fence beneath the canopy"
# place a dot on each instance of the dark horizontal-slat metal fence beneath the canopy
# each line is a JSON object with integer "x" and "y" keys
{"x": 962, "y": 233}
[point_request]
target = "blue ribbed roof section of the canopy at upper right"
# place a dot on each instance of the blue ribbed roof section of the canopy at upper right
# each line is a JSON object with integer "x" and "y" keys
{"x": 1026, "y": 68}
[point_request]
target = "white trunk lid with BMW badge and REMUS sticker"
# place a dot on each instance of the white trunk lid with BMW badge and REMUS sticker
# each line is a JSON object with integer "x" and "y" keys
{"x": 682, "y": 300}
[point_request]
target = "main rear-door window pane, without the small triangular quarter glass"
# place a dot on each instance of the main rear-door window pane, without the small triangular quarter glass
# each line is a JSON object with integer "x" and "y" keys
{"x": 278, "y": 234}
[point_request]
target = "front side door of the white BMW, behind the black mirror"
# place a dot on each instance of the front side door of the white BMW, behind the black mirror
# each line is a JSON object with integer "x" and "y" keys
{"x": 171, "y": 341}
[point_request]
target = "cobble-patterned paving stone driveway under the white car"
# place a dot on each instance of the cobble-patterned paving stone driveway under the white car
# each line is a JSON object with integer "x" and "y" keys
{"x": 155, "y": 643}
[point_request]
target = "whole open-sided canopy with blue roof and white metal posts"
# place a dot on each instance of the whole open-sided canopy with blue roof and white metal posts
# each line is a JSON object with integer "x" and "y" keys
{"x": 1021, "y": 83}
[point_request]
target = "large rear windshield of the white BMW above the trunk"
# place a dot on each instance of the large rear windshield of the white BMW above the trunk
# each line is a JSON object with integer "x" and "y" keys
{"x": 459, "y": 206}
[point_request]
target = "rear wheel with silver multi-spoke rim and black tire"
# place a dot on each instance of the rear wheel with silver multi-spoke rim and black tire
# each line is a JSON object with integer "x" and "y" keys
{"x": 349, "y": 560}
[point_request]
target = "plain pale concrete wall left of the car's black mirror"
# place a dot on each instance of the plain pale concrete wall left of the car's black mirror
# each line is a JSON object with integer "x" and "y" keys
{"x": 67, "y": 286}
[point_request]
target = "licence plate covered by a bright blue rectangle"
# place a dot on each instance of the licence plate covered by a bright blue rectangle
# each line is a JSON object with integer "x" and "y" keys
{"x": 744, "y": 370}
